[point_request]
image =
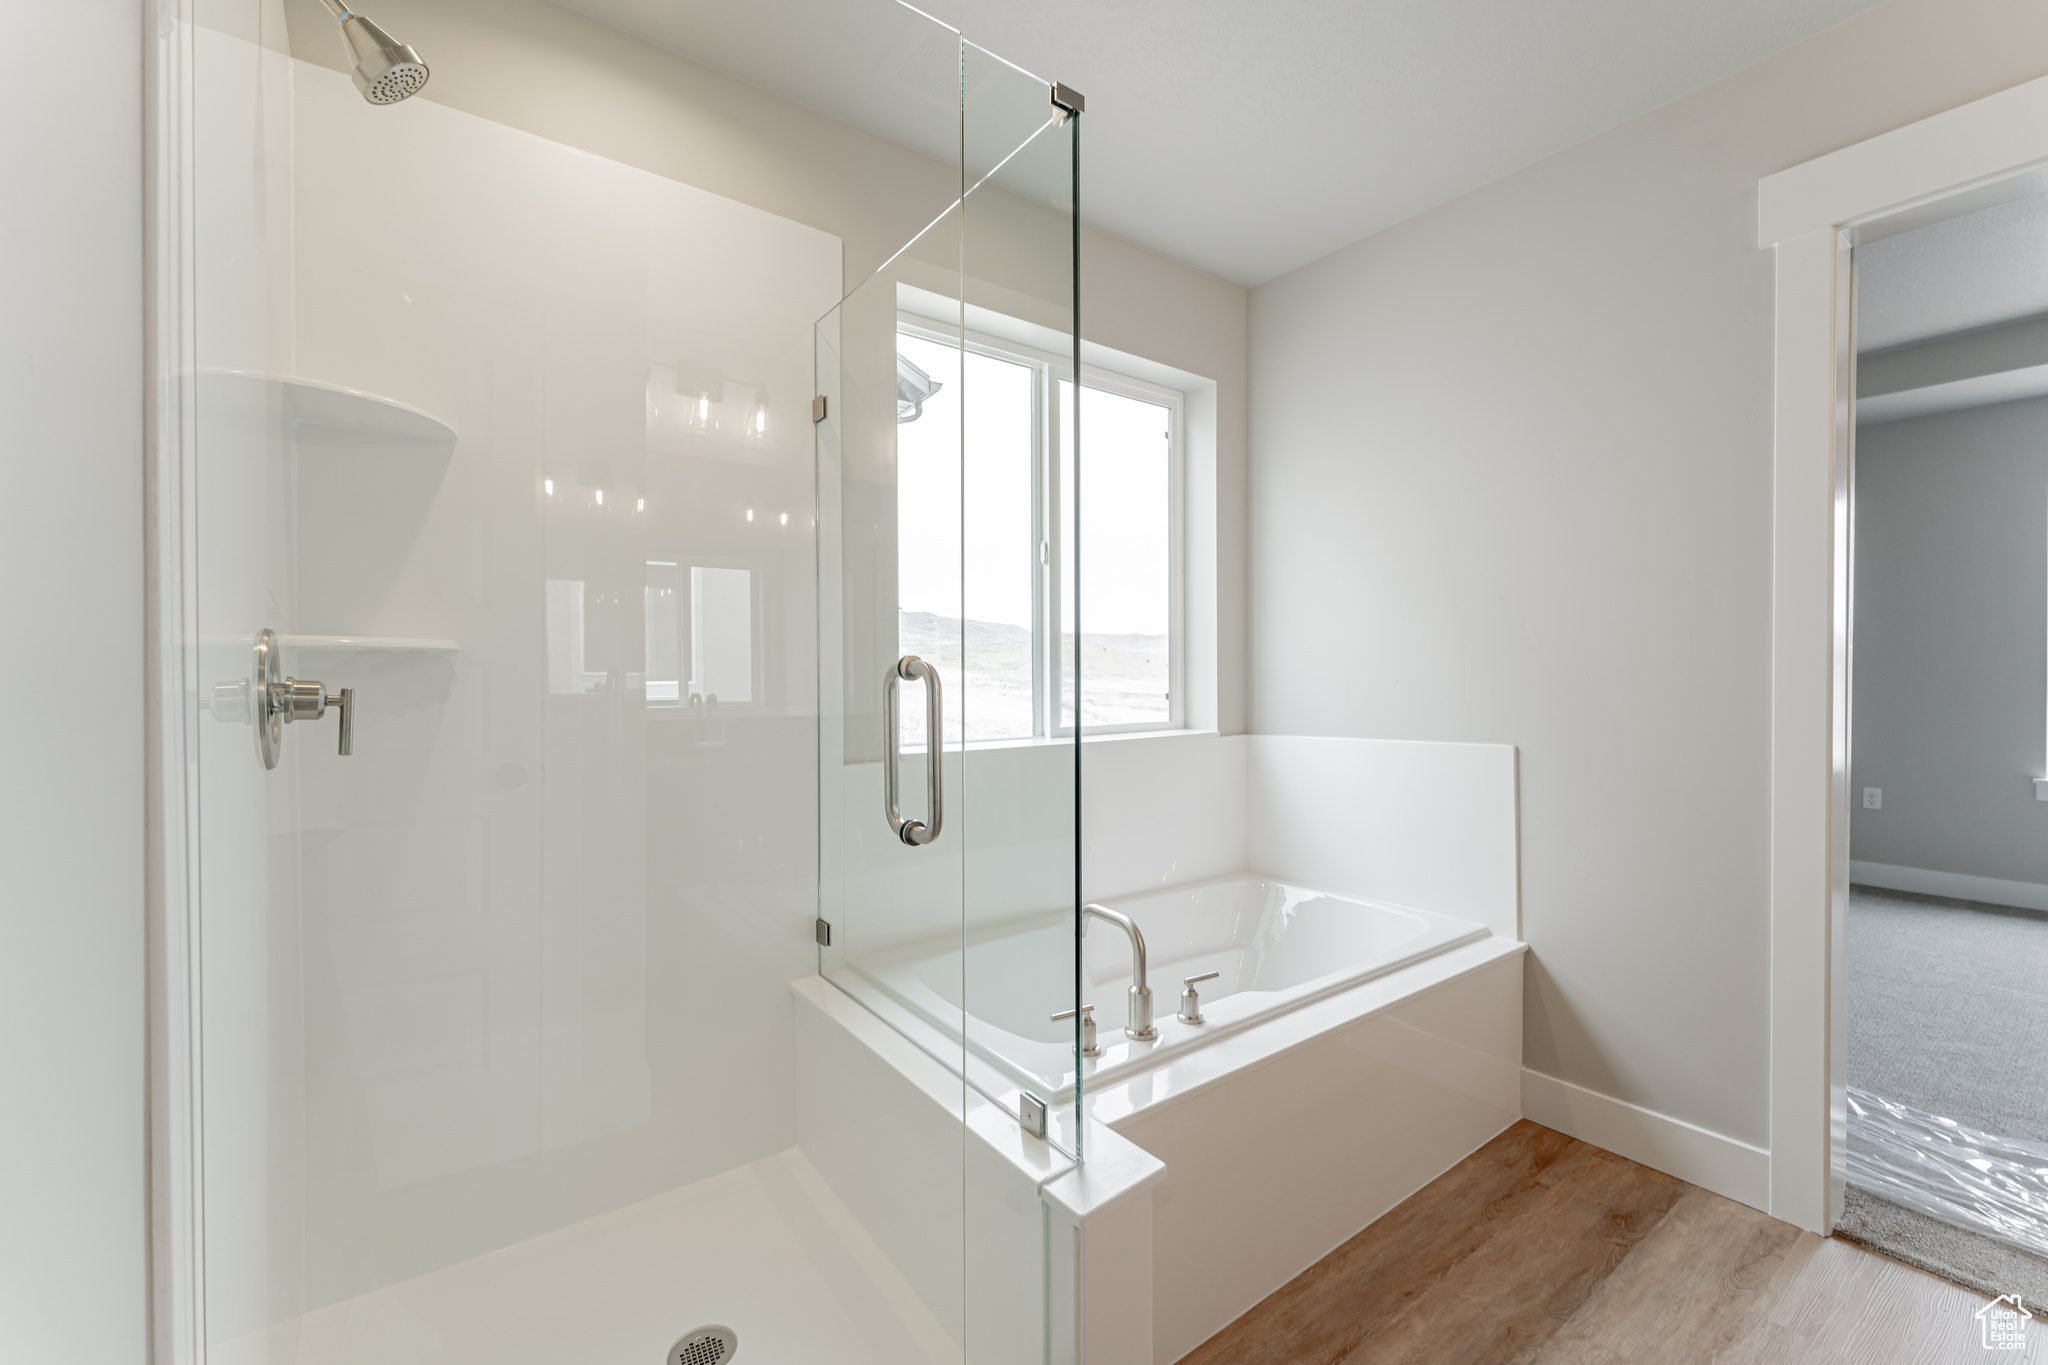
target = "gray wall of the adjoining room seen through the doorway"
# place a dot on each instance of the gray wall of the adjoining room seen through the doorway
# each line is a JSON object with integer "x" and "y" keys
{"x": 1953, "y": 642}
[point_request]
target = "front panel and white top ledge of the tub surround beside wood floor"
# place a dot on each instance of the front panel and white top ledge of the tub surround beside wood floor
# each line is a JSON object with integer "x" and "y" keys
{"x": 1287, "y": 1141}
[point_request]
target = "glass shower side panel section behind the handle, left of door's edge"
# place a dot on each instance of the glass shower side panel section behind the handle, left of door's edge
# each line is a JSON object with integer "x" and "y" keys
{"x": 890, "y": 588}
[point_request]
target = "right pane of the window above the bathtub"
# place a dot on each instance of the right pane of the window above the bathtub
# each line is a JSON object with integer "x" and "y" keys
{"x": 1127, "y": 595}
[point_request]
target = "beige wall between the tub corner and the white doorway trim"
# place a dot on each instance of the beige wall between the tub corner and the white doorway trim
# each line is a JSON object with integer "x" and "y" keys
{"x": 1512, "y": 482}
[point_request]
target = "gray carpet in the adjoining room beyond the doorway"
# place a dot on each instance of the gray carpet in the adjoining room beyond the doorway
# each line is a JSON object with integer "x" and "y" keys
{"x": 1949, "y": 1012}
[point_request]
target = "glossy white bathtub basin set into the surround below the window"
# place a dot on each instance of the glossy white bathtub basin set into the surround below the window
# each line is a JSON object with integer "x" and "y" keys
{"x": 1277, "y": 949}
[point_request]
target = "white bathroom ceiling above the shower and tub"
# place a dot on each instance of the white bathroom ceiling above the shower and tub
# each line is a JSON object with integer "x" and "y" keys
{"x": 1254, "y": 136}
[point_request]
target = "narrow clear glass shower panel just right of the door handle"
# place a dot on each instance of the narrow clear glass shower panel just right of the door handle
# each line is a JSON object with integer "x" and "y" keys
{"x": 1019, "y": 801}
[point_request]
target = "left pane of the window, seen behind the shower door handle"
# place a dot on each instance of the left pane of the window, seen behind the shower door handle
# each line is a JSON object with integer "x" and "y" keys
{"x": 966, "y": 603}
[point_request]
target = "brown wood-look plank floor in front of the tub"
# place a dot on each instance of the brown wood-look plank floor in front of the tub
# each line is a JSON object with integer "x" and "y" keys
{"x": 1541, "y": 1249}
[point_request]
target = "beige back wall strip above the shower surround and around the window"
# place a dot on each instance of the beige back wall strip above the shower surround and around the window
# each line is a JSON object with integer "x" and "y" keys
{"x": 554, "y": 73}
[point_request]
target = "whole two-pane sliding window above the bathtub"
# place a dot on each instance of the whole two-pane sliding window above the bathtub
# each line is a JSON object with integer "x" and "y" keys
{"x": 986, "y": 539}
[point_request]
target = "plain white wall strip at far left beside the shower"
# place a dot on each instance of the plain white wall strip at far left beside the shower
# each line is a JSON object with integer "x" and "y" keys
{"x": 73, "y": 1245}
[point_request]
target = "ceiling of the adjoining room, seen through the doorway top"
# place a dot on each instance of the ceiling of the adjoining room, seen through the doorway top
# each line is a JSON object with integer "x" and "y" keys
{"x": 1973, "y": 271}
